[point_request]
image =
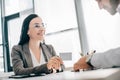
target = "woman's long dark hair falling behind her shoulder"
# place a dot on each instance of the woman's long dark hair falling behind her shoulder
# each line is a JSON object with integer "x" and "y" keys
{"x": 24, "y": 38}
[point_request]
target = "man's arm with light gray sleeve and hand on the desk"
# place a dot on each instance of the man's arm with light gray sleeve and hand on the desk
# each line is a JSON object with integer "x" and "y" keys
{"x": 108, "y": 59}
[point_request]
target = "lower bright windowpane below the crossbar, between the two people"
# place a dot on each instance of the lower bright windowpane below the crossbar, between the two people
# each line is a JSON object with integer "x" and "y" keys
{"x": 66, "y": 44}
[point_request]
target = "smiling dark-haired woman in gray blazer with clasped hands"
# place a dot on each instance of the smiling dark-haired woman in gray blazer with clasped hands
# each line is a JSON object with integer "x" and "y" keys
{"x": 31, "y": 55}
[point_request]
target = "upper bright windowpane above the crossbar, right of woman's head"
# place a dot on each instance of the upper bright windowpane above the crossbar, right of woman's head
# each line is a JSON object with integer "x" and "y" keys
{"x": 58, "y": 14}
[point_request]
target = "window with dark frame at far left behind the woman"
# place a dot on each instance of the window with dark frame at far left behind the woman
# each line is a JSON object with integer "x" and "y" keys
{"x": 13, "y": 18}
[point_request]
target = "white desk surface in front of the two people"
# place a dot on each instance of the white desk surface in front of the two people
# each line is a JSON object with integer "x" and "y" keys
{"x": 101, "y": 74}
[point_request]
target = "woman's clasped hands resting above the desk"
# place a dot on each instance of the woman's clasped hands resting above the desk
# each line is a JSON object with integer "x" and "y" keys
{"x": 55, "y": 63}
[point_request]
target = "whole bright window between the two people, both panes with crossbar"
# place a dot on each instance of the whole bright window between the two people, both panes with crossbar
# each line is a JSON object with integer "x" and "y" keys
{"x": 62, "y": 29}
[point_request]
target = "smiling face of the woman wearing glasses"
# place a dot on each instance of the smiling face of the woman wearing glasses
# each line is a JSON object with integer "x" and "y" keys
{"x": 36, "y": 29}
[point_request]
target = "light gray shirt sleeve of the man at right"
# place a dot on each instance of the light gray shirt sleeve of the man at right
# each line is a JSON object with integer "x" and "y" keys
{"x": 106, "y": 59}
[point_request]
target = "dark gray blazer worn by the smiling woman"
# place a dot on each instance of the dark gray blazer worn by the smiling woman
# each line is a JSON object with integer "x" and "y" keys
{"x": 22, "y": 61}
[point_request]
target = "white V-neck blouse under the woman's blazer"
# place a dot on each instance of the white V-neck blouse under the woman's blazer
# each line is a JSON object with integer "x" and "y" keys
{"x": 34, "y": 60}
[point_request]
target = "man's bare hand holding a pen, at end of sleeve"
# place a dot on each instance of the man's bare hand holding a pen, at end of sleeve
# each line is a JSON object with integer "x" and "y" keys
{"x": 81, "y": 64}
